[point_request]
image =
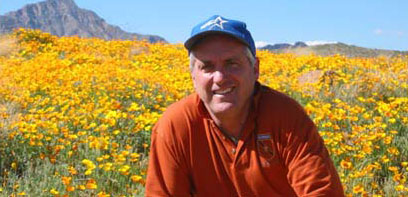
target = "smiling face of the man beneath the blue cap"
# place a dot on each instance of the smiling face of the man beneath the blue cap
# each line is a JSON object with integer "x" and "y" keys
{"x": 222, "y": 75}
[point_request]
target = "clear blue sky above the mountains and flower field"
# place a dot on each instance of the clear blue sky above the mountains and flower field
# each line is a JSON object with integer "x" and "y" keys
{"x": 368, "y": 23}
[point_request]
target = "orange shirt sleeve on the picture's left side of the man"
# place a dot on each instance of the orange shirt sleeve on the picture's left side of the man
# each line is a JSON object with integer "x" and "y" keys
{"x": 167, "y": 171}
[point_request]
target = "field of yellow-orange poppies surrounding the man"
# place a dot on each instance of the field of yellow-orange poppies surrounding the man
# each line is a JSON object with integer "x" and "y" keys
{"x": 76, "y": 114}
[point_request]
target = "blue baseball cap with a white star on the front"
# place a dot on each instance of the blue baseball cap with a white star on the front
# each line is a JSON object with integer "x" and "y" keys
{"x": 220, "y": 25}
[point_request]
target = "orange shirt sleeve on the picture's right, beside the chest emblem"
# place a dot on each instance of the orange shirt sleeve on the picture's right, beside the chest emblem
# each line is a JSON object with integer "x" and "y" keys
{"x": 310, "y": 169}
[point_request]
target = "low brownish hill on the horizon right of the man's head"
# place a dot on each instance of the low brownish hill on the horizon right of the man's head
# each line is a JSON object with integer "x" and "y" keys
{"x": 301, "y": 48}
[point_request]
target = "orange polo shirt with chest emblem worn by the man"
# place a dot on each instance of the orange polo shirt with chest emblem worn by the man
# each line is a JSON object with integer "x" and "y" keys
{"x": 280, "y": 153}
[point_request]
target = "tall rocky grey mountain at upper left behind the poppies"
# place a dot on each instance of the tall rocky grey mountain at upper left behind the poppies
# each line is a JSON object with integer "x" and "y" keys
{"x": 65, "y": 18}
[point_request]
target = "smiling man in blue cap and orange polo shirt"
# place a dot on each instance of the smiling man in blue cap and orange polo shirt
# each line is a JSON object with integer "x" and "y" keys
{"x": 234, "y": 136}
